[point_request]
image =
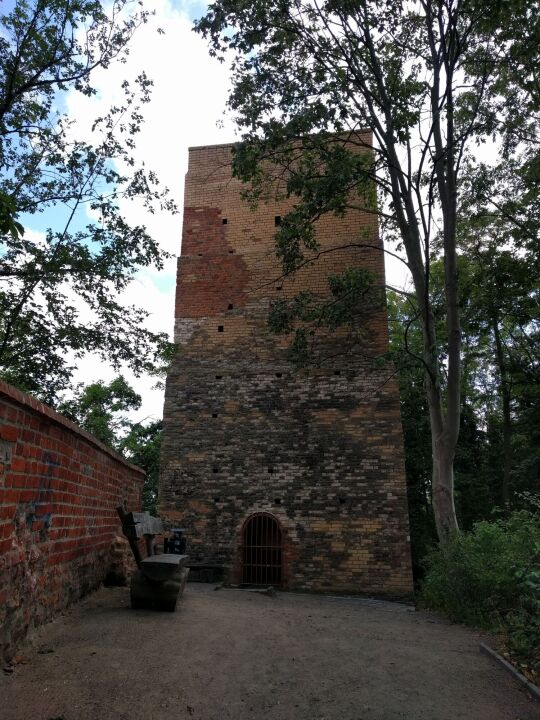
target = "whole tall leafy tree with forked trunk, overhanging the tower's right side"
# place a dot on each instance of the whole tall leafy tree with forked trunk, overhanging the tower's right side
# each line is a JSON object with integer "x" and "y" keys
{"x": 433, "y": 81}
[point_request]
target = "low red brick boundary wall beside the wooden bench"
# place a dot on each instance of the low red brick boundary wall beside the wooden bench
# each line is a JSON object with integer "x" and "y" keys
{"x": 59, "y": 488}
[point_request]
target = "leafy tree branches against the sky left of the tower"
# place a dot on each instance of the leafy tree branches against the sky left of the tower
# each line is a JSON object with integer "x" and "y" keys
{"x": 59, "y": 293}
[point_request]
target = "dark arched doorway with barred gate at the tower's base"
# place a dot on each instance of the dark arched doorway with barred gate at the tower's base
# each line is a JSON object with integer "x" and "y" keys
{"x": 261, "y": 551}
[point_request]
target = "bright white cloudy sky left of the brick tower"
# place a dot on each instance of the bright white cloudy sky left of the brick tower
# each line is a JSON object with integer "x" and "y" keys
{"x": 187, "y": 108}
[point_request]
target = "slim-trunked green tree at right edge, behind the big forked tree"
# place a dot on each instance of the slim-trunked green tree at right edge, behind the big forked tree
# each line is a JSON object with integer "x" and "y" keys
{"x": 498, "y": 235}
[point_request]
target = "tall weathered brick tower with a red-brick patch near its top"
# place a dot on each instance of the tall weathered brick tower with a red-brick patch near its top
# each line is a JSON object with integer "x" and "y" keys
{"x": 282, "y": 477}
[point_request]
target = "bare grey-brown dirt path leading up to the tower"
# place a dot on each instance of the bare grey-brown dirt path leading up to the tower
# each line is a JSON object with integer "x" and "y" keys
{"x": 237, "y": 655}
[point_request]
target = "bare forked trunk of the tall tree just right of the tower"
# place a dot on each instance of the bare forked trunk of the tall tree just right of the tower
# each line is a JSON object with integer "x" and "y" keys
{"x": 444, "y": 416}
